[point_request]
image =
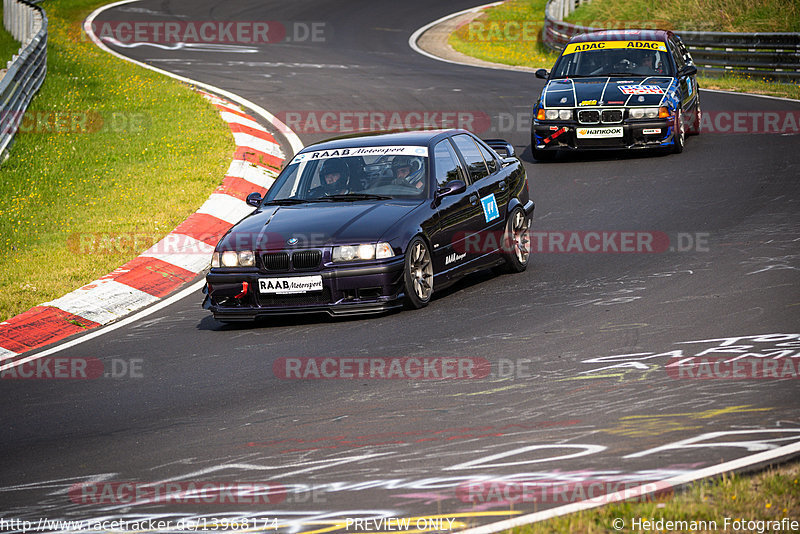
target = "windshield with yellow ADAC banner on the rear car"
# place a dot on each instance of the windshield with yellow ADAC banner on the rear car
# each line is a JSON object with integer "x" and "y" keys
{"x": 581, "y": 63}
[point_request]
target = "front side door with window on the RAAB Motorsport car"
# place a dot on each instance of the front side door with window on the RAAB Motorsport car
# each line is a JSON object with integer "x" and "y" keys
{"x": 459, "y": 216}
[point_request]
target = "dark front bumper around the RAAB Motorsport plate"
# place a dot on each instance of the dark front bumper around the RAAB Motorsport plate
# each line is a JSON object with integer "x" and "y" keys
{"x": 362, "y": 288}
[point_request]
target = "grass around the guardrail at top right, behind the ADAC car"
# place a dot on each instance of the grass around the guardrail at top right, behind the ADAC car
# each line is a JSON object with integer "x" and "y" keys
{"x": 510, "y": 33}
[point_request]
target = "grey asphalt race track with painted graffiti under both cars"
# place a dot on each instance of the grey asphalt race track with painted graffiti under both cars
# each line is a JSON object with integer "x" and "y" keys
{"x": 205, "y": 405}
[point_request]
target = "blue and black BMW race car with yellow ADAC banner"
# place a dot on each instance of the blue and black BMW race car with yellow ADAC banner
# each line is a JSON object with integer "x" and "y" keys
{"x": 617, "y": 89}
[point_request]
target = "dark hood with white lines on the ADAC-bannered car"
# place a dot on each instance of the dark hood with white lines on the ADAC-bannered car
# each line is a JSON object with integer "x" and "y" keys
{"x": 607, "y": 91}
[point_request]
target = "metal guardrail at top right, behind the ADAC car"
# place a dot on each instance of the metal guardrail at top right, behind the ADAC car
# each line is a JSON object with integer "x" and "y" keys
{"x": 768, "y": 55}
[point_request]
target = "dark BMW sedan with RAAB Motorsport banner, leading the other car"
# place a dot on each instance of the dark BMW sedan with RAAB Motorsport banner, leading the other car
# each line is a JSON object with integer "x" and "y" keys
{"x": 366, "y": 224}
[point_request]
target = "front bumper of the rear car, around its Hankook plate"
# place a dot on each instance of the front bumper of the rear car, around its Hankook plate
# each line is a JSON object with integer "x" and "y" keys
{"x": 635, "y": 135}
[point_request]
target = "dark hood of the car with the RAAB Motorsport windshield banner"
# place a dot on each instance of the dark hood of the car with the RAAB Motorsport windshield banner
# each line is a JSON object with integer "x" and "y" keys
{"x": 316, "y": 224}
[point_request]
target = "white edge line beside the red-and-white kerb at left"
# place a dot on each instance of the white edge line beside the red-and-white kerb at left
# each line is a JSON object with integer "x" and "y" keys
{"x": 288, "y": 134}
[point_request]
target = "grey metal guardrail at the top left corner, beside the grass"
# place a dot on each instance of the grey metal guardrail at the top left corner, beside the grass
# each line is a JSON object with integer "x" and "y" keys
{"x": 26, "y": 70}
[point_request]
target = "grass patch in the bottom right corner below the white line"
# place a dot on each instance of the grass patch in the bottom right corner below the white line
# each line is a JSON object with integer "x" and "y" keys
{"x": 768, "y": 496}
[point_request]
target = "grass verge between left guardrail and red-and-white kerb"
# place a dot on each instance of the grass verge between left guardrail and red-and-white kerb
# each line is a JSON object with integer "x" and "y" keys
{"x": 106, "y": 149}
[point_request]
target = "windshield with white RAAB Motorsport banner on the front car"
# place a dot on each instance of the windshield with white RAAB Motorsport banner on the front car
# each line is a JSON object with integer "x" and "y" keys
{"x": 317, "y": 177}
